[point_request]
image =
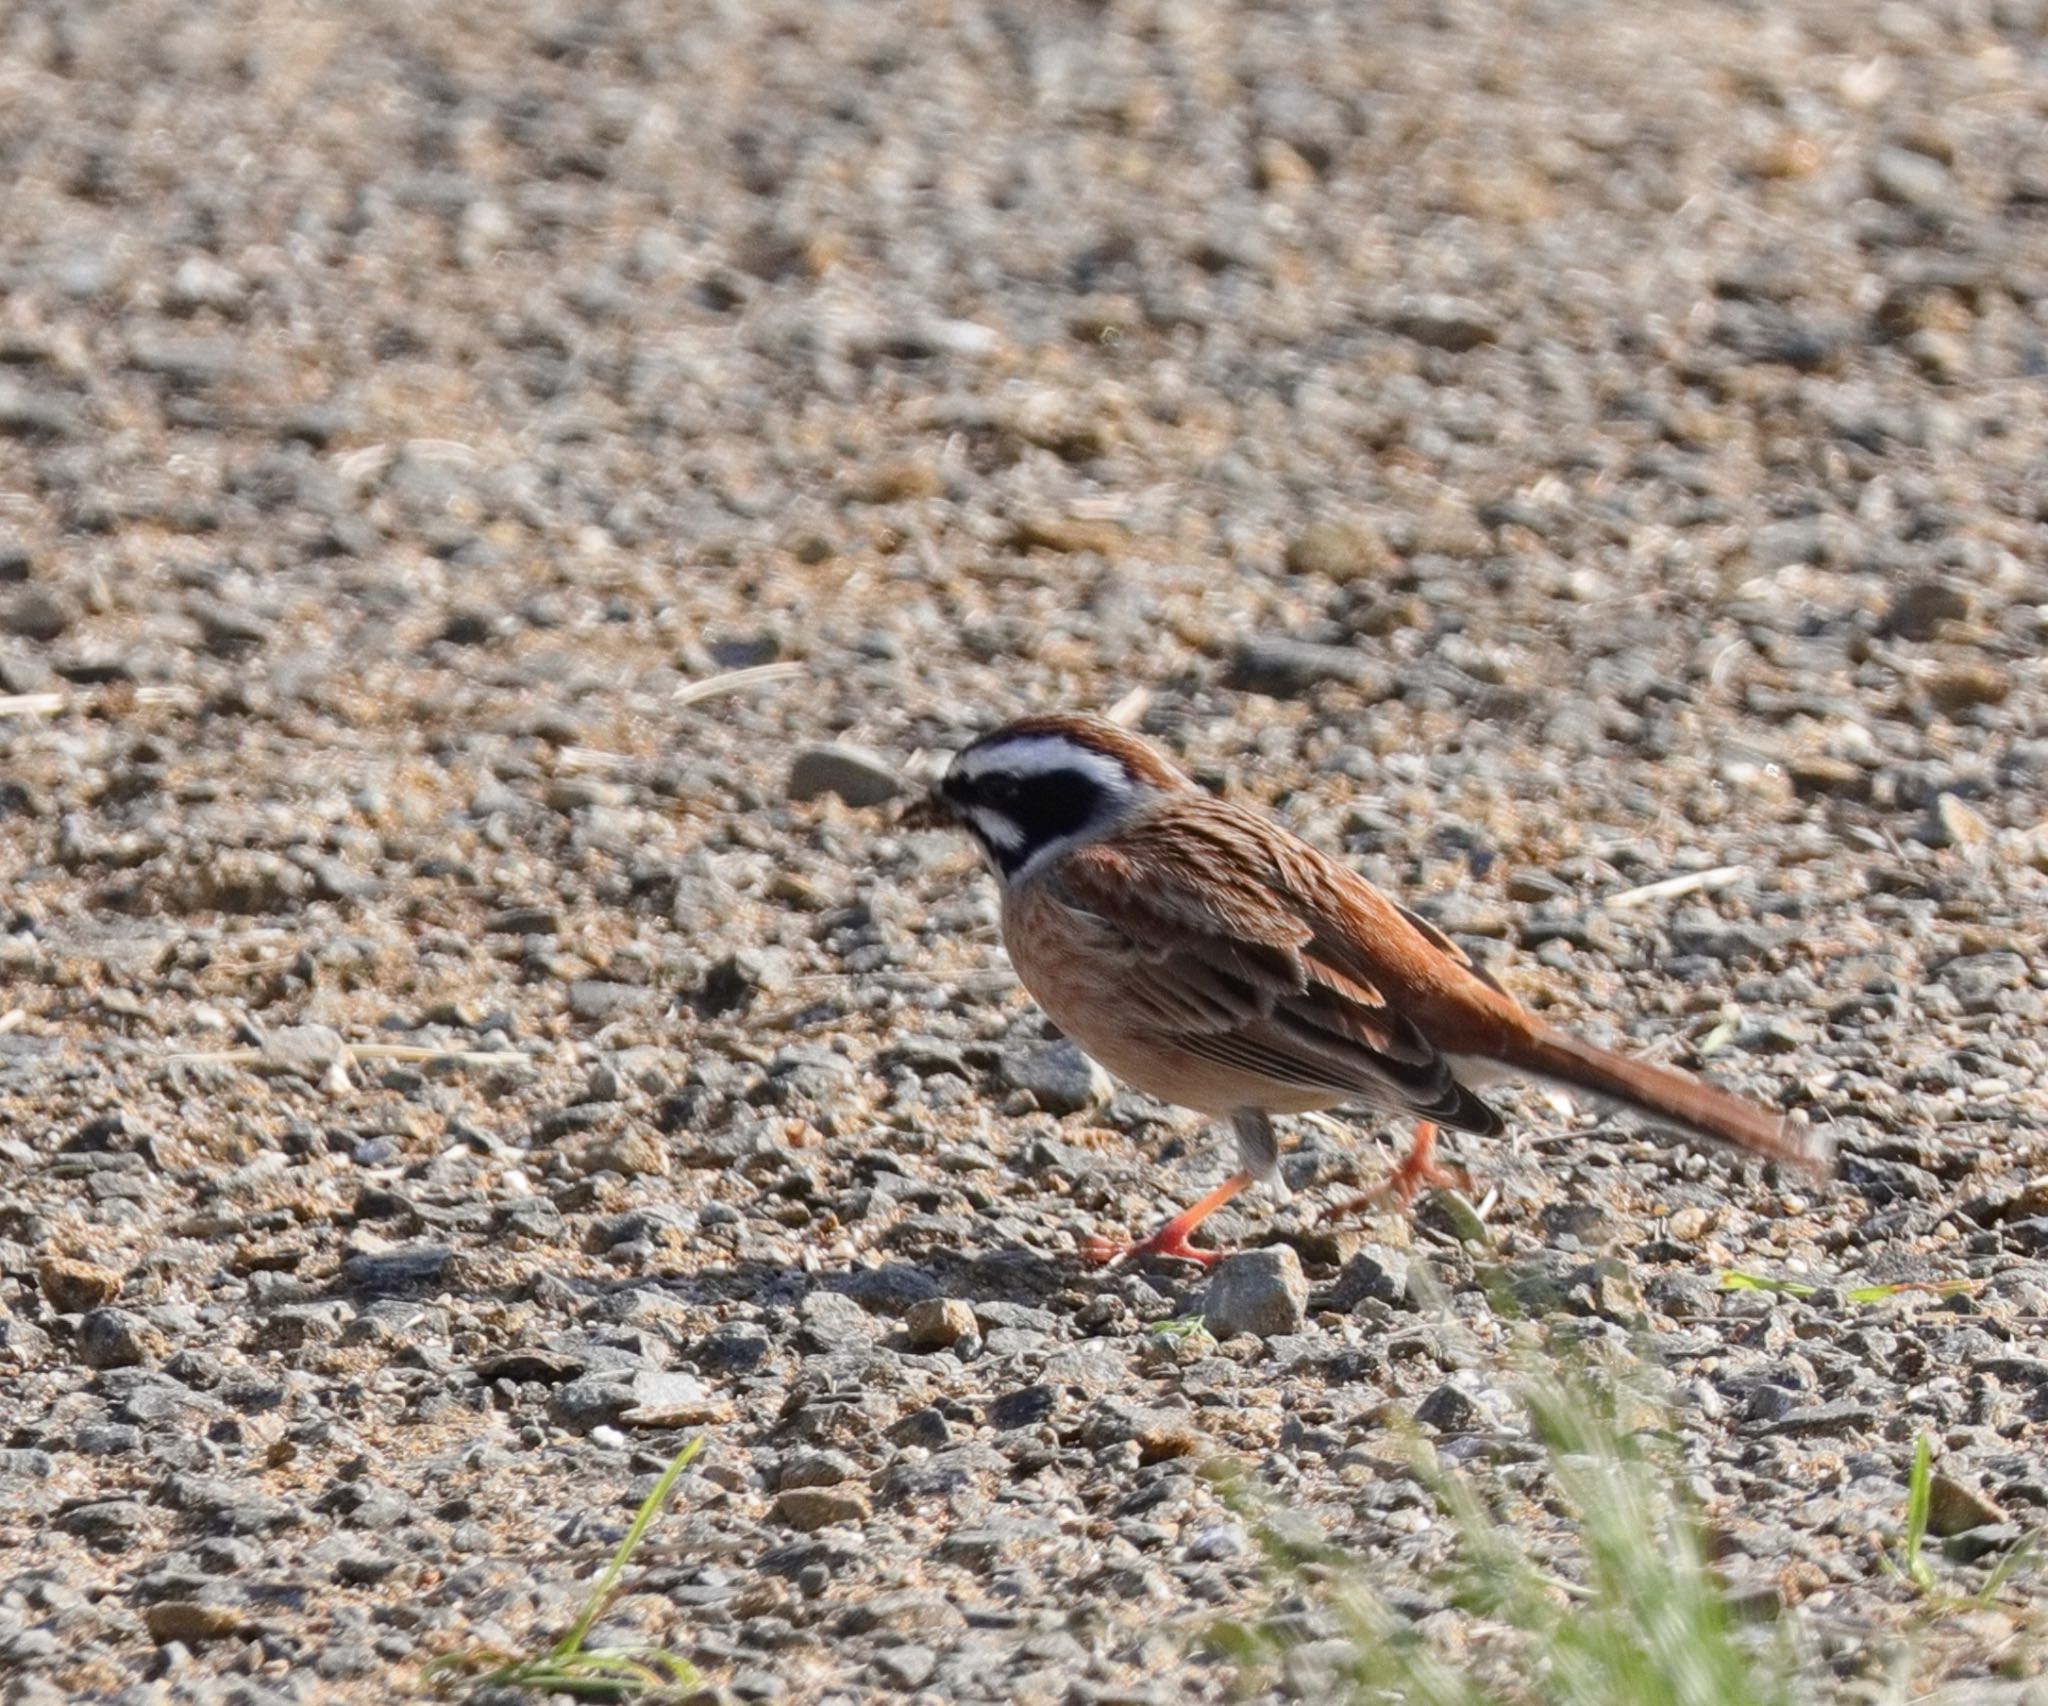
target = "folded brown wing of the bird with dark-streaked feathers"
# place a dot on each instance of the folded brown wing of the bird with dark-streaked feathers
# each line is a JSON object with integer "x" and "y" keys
{"x": 1222, "y": 959}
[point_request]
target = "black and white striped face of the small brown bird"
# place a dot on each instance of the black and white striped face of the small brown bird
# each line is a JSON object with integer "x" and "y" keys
{"x": 1031, "y": 798}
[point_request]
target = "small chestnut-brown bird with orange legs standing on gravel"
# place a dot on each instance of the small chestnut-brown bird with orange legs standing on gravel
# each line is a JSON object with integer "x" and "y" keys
{"x": 1207, "y": 955}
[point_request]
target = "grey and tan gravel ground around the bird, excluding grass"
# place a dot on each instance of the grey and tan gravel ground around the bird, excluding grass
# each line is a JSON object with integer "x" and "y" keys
{"x": 1537, "y": 452}
